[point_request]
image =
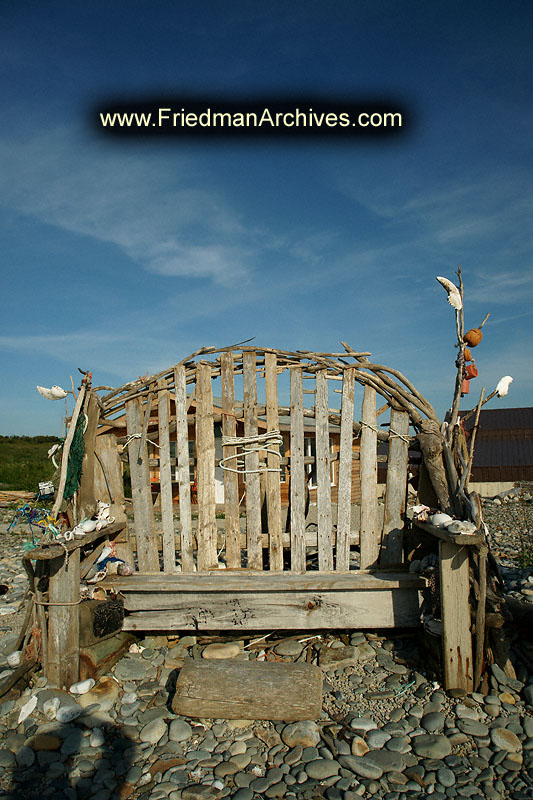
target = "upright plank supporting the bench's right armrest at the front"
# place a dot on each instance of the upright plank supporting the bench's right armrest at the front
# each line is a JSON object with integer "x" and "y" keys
{"x": 457, "y": 640}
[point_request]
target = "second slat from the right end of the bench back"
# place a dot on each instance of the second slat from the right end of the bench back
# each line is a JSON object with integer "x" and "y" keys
{"x": 369, "y": 481}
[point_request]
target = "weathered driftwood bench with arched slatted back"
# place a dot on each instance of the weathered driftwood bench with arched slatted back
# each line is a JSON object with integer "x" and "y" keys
{"x": 253, "y": 432}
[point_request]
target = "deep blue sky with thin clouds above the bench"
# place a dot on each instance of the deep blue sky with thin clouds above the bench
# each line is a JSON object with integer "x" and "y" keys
{"x": 124, "y": 255}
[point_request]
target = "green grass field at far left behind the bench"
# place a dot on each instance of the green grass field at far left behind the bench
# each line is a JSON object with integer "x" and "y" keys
{"x": 24, "y": 462}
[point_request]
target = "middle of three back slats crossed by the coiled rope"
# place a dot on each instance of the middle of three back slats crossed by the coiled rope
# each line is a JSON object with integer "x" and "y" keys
{"x": 253, "y": 487}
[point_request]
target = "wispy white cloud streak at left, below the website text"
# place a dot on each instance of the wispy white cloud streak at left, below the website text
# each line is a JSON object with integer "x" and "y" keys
{"x": 130, "y": 201}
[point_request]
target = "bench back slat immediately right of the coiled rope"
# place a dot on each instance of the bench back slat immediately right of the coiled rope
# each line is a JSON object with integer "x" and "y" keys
{"x": 297, "y": 473}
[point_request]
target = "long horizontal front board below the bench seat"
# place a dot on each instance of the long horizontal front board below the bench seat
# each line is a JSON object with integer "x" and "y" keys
{"x": 310, "y": 610}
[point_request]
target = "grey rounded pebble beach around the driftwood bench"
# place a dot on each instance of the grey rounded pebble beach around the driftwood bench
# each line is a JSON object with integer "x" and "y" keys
{"x": 387, "y": 730}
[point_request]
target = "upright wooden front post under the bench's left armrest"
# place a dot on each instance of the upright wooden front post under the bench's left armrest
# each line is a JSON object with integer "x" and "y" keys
{"x": 63, "y": 620}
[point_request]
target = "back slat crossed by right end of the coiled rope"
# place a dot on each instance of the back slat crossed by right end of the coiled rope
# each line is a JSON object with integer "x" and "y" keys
{"x": 273, "y": 490}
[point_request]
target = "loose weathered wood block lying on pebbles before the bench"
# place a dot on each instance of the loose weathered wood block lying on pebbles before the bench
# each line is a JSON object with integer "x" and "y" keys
{"x": 248, "y": 690}
